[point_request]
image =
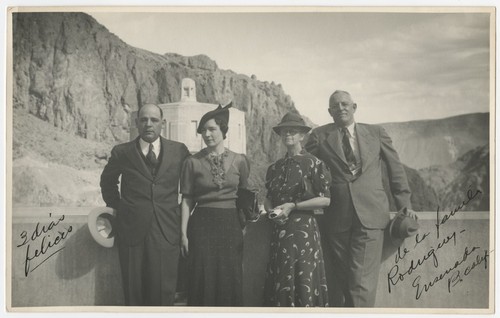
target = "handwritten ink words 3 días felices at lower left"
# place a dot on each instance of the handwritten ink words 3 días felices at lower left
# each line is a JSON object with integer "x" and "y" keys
{"x": 43, "y": 242}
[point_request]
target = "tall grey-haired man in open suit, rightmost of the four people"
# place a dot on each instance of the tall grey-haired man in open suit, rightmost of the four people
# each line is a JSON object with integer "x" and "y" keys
{"x": 353, "y": 225}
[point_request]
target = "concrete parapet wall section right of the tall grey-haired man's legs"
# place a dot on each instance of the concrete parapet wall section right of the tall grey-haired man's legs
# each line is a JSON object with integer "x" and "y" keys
{"x": 446, "y": 271}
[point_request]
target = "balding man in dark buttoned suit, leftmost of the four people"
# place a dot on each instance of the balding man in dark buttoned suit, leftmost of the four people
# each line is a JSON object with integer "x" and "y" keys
{"x": 147, "y": 210}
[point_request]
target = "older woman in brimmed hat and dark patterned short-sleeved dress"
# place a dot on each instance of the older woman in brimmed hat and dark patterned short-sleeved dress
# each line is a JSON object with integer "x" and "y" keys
{"x": 297, "y": 184}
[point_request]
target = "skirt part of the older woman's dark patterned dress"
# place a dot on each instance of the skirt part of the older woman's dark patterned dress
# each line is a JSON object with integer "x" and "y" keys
{"x": 296, "y": 272}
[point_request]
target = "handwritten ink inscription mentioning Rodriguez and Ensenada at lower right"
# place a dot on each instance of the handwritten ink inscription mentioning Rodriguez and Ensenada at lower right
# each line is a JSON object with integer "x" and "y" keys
{"x": 412, "y": 268}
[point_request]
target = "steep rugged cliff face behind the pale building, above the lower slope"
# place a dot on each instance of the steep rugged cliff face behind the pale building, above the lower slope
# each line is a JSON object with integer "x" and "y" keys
{"x": 73, "y": 73}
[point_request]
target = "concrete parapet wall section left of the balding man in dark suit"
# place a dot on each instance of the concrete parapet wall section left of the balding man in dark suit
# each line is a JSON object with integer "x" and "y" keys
{"x": 82, "y": 274}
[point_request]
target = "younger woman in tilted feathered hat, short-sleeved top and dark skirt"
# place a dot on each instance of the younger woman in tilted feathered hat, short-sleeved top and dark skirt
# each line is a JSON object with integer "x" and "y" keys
{"x": 212, "y": 237}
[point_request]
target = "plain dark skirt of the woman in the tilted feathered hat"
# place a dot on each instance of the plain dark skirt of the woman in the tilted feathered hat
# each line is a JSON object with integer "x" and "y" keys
{"x": 215, "y": 258}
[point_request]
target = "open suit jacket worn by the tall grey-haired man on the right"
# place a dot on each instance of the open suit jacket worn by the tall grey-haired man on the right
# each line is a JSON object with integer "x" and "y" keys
{"x": 365, "y": 191}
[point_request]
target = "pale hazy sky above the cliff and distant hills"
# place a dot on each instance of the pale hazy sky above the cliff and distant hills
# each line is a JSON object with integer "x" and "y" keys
{"x": 397, "y": 66}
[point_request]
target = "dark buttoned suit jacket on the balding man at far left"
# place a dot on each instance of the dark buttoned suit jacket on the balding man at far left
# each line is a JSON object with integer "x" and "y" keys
{"x": 144, "y": 198}
